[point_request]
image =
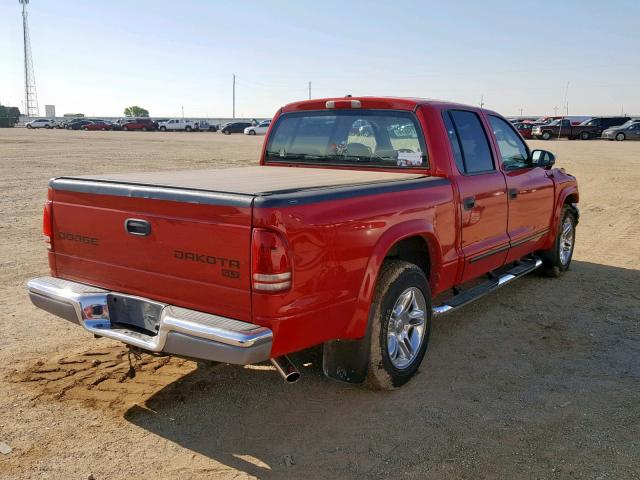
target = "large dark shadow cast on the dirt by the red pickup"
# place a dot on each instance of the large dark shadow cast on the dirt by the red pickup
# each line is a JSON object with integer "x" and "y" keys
{"x": 508, "y": 375}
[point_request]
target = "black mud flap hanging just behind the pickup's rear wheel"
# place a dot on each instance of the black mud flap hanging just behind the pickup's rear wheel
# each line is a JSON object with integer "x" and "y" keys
{"x": 346, "y": 360}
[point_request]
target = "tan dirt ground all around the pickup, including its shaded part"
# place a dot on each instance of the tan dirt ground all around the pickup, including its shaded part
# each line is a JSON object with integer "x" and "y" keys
{"x": 538, "y": 380}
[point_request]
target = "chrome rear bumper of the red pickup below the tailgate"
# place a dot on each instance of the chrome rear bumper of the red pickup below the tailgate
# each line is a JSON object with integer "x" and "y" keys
{"x": 181, "y": 331}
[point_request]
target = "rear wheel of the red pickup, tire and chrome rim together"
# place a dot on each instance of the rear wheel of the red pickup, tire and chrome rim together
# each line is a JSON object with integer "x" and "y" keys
{"x": 400, "y": 322}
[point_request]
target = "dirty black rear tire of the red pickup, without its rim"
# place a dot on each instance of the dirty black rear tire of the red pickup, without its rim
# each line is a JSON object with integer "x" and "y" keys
{"x": 396, "y": 276}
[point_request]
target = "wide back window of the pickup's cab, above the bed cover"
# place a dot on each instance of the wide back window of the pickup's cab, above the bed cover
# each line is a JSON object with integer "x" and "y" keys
{"x": 375, "y": 138}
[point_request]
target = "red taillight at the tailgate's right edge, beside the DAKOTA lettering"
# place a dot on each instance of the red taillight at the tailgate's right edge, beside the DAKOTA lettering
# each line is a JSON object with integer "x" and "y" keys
{"x": 271, "y": 264}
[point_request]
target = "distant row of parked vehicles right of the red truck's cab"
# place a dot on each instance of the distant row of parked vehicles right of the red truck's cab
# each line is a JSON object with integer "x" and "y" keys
{"x": 610, "y": 128}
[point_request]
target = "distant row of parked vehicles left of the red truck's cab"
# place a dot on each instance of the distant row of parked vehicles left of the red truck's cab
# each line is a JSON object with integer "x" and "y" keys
{"x": 148, "y": 124}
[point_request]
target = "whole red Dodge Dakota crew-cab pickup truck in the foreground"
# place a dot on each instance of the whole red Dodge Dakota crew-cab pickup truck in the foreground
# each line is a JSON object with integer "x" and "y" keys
{"x": 354, "y": 238}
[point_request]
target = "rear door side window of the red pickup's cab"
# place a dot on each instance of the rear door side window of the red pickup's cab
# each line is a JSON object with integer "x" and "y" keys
{"x": 468, "y": 141}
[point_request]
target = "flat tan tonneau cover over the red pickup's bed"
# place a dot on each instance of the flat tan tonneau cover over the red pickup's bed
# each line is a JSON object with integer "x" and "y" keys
{"x": 256, "y": 180}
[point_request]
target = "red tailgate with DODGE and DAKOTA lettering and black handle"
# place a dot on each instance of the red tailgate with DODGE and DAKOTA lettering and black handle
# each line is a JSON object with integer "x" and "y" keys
{"x": 196, "y": 253}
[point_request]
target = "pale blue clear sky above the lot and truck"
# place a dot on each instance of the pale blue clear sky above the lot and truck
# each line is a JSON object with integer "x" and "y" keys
{"x": 99, "y": 57}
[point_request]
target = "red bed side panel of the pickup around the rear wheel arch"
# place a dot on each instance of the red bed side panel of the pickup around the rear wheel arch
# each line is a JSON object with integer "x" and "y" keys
{"x": 338, "y": 247}
